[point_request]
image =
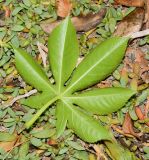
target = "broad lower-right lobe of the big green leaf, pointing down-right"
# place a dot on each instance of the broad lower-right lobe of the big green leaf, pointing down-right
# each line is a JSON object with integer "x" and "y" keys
{"x": 85, "y": 126}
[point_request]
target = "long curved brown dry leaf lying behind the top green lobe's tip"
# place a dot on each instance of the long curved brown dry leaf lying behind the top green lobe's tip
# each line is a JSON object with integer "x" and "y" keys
{"x": 81, "y": 23}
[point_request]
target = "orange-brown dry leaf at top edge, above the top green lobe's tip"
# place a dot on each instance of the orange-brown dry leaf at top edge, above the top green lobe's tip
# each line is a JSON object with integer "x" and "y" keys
{"x": 63, "y": 8}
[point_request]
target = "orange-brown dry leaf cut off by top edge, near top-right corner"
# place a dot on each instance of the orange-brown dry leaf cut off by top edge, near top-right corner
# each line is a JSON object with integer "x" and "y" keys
{"x": 133, "y": 3}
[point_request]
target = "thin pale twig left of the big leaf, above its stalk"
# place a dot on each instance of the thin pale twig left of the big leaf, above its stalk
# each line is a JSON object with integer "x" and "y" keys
{"x": 20, "y": 97}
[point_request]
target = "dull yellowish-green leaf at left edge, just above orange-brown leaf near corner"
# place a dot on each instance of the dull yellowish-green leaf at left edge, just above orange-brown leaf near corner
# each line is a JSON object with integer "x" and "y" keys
{"x": 6, "y": 137}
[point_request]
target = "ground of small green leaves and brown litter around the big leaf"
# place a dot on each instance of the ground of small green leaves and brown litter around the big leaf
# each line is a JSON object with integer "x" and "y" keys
{"x": 40, "y": 143}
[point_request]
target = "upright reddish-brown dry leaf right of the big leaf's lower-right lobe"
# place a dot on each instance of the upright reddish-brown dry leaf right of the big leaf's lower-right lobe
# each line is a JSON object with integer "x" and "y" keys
{"x": 128, "y": 126}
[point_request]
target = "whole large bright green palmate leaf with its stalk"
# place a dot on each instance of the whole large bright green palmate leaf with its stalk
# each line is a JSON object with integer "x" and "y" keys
{"x": 72, "y": 108}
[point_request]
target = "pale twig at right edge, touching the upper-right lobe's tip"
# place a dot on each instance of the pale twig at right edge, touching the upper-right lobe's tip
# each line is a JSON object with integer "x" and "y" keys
{"x": 139, "y": 34}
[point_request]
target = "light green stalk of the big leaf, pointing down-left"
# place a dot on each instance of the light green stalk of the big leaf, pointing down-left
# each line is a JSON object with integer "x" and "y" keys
{"x": 39, "y": 112}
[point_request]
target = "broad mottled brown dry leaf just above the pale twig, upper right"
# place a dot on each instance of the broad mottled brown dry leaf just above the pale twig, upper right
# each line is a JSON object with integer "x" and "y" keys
{"x": 131, "y": 23}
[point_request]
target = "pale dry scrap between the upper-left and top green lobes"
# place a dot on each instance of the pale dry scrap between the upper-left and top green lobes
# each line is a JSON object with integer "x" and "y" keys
{"x": 42, "y": 49}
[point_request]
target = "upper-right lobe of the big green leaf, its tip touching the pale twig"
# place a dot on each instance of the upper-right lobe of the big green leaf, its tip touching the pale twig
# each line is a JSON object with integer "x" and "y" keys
{"x": 98, "y": 64}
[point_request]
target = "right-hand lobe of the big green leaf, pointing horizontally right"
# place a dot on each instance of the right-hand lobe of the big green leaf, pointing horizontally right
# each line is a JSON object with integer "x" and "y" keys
{"x": 102, "y": 101}
